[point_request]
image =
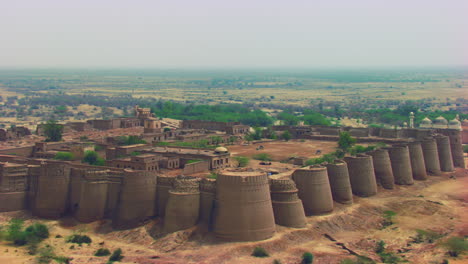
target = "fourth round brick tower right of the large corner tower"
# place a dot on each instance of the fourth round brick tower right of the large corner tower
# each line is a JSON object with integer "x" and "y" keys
{"x": 362, "y": 175}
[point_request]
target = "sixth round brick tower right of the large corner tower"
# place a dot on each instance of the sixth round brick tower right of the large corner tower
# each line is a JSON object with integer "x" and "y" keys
{"x": 401, "y": 164}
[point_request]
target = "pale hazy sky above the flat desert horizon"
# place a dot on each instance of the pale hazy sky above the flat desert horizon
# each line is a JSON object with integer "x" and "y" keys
{"x": 233, "y": 33}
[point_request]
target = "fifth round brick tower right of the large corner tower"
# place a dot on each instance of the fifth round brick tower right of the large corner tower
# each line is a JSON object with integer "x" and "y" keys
{"x": 382, "y": 168}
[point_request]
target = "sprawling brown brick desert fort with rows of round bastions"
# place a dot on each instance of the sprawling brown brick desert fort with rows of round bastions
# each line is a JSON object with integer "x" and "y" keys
{"x": 143, "y": 181}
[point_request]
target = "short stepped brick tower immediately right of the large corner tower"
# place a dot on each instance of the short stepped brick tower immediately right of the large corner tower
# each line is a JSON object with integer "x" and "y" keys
{"x": 287, "y": 207}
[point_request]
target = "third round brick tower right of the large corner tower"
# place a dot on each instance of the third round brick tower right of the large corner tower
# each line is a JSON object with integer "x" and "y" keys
{"x": 340, "y": 184}
